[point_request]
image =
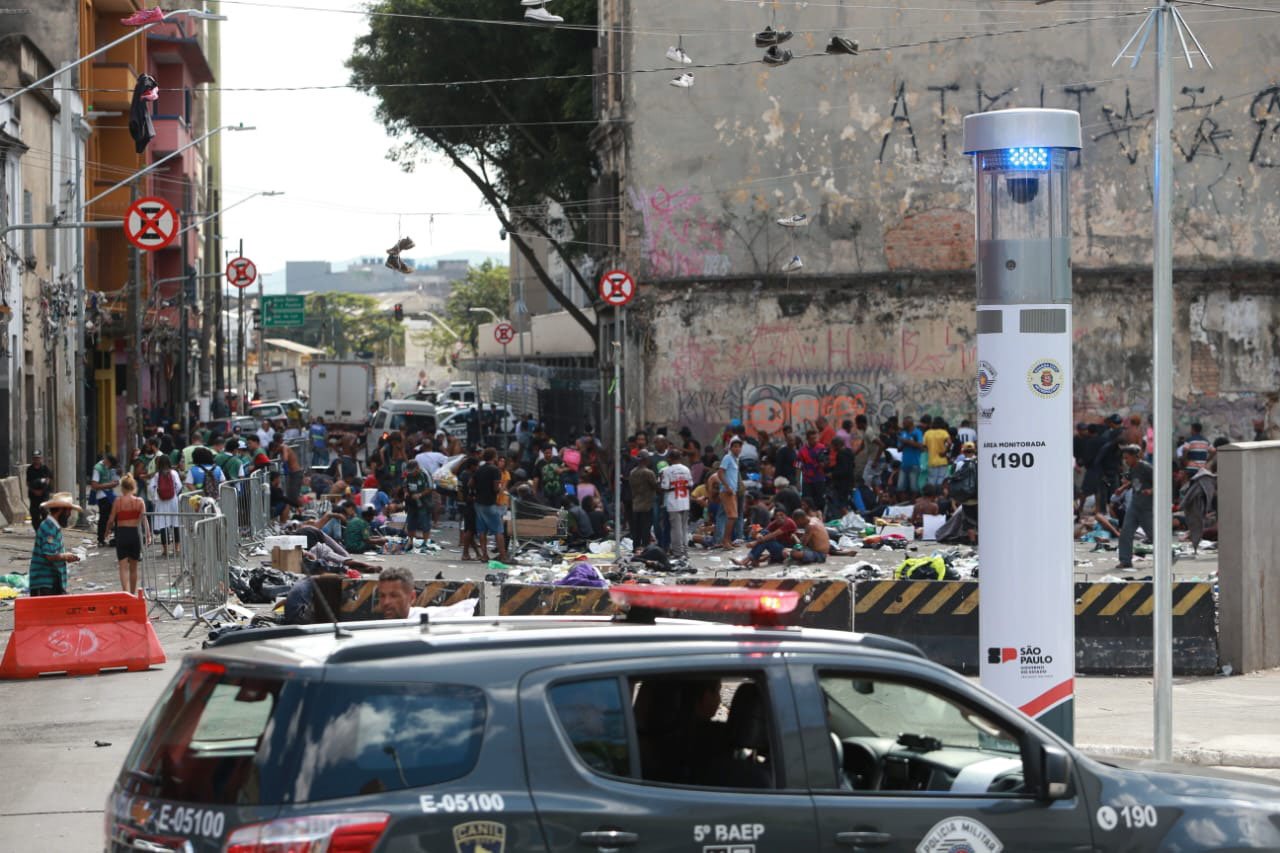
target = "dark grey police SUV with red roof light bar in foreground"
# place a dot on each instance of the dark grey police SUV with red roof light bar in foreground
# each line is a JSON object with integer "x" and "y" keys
{"x": 641, "y": 733}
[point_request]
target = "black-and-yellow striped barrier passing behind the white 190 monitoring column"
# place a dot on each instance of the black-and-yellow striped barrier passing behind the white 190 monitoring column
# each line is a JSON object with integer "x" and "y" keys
{"x": 1113, "y": 623}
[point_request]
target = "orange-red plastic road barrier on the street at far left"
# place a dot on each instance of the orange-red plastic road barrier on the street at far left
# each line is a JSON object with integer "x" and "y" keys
{"x": 80, "y": 636}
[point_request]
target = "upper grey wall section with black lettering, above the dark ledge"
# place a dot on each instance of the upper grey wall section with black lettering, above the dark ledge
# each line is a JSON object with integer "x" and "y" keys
{"x": 870, "y": 147}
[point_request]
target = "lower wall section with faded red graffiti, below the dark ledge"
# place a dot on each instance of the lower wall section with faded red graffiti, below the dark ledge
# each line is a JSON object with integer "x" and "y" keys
{"x": 775, "y": 353}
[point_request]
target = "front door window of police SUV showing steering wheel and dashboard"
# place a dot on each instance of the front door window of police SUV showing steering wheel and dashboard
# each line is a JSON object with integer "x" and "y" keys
{"x": 897, "y": 737}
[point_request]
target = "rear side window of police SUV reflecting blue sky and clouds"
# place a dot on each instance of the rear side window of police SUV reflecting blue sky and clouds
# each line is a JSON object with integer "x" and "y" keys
{"x": 367, "y": 740}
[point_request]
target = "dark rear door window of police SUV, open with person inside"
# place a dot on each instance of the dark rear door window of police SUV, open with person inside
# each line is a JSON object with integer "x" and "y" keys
{"x": 708, "y": 731}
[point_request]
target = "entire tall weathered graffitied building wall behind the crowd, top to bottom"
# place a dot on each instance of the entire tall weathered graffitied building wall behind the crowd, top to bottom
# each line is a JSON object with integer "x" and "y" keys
{"x": 868, "y": 149}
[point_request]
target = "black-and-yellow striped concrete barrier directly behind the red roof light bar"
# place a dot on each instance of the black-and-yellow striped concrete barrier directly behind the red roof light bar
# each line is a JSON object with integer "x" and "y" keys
{"x": 824, "y": 604}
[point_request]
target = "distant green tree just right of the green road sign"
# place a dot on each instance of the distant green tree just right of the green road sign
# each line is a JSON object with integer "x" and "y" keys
{"x": 349, "y": 323}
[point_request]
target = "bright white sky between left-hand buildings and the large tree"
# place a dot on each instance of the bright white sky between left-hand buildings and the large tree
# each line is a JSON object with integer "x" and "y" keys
{"x": 327, "y": 152}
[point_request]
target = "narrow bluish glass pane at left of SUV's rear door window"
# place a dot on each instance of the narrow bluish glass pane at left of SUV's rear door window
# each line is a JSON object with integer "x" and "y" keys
{"x": 593, "y": 718}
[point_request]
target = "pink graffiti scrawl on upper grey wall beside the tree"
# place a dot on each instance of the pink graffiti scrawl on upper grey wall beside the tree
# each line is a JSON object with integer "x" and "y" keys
{"x": 679, "y": 241}
